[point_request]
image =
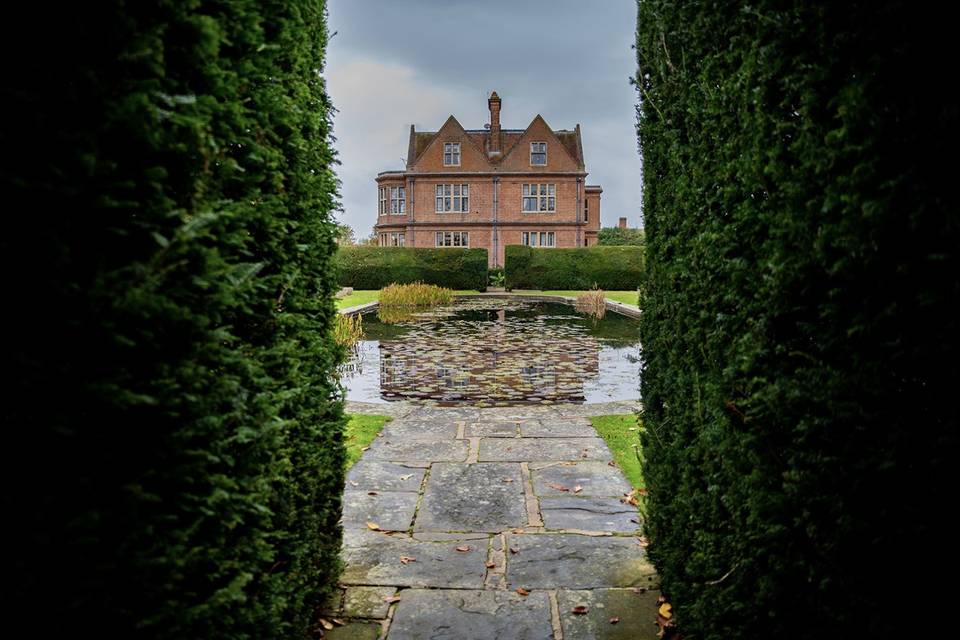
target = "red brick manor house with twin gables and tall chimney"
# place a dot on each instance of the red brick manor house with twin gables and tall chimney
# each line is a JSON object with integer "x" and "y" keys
{"x": 489, "y": 188}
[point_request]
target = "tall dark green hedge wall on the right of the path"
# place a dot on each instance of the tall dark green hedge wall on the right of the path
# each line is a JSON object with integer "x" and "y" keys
{"x": 799, "y": 341}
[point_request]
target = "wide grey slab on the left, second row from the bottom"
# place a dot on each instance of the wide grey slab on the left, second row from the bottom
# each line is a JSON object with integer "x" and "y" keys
{"x": 374, "y": 559}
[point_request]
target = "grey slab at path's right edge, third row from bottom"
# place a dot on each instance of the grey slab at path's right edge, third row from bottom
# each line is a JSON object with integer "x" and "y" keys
{"x": 588, "y": 513}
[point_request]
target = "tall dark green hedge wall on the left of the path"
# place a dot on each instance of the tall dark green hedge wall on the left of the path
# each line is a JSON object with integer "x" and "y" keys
{"x": 173, "y": 428}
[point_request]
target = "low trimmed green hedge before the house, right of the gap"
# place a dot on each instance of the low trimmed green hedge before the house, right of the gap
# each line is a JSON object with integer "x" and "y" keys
{"x": 609, "y": 268}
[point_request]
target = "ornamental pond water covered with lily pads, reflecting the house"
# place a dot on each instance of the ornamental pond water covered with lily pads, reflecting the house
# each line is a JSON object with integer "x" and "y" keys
{"x": 495, "y": 352}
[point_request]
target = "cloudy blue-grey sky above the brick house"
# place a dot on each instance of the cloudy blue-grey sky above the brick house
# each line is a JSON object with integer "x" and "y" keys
{"x": 393, "y": 63}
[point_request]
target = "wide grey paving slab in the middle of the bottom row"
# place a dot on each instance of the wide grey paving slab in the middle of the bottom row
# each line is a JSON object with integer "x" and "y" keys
{"x": 471, "y": 615}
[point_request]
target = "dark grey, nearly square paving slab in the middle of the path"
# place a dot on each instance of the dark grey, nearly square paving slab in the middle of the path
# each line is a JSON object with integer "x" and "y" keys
{"x": 472, "y": 497}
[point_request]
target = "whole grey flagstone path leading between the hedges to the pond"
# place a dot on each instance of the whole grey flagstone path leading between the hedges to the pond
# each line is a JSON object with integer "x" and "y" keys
{"x": 494, "y": 524}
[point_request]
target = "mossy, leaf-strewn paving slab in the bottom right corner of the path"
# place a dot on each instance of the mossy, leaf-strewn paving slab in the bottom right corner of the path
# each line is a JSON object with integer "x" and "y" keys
{"x": 636, "y": 610}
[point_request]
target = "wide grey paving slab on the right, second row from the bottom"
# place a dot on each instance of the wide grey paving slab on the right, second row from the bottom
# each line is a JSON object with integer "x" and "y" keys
{"x": 550, "y": 561}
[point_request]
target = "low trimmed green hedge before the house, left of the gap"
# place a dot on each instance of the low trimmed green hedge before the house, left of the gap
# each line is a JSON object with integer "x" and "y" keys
{"x": 367, "y": 267}
